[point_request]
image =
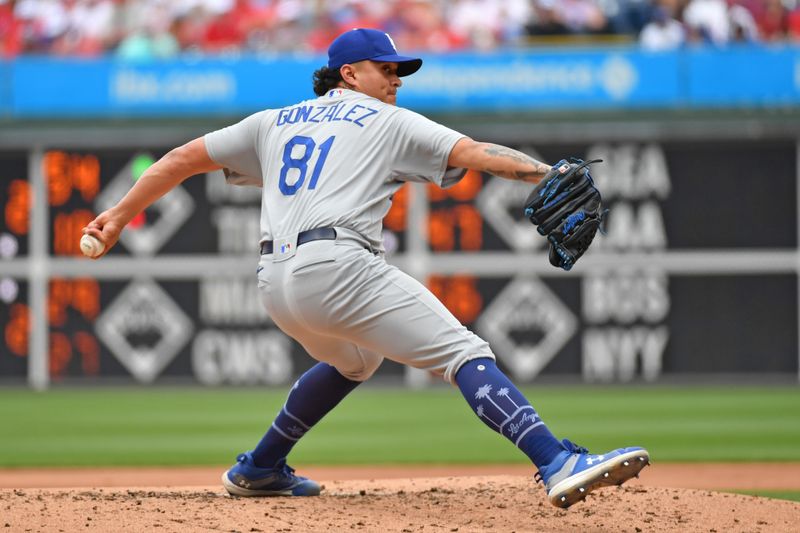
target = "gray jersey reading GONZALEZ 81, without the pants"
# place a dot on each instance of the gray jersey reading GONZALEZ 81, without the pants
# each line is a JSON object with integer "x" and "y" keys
{"x": 333, "y": 161}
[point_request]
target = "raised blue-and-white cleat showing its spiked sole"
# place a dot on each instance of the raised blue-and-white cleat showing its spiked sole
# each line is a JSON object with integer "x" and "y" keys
{"x": 574, "y": 473}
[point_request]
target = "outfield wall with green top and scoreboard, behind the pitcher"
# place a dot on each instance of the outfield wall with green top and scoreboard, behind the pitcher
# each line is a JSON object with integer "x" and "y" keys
{"x": 696, "y": 279}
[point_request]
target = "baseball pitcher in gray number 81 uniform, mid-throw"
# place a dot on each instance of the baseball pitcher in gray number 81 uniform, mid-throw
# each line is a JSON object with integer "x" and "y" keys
{"x": 328, "y": 168}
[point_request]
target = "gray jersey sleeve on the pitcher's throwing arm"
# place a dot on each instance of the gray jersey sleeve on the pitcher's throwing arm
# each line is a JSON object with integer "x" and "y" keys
{"x": 236, "y": 149}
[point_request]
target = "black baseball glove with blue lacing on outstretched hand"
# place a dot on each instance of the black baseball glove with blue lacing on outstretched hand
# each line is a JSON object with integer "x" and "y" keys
{"x": 566, "y": 207}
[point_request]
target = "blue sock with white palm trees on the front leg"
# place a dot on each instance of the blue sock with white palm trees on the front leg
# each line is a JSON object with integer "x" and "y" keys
{"x": 502, "y": 407}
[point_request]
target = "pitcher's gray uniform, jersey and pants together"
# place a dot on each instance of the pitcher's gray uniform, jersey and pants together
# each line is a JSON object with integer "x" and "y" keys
{"x": 335, "y": 162}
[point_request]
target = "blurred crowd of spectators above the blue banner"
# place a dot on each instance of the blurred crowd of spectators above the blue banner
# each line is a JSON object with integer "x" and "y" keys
{"x": 145, "y": 29}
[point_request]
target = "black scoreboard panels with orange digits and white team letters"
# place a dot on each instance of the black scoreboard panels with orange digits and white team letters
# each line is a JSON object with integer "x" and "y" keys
{"x": 675, "y": 291}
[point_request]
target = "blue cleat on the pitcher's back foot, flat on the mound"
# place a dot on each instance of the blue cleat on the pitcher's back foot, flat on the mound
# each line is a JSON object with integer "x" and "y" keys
{"x": 246, "y": 479}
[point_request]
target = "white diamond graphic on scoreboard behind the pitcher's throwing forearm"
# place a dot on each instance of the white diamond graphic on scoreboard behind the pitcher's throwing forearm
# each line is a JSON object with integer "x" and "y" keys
{"x": 149, "y": 231}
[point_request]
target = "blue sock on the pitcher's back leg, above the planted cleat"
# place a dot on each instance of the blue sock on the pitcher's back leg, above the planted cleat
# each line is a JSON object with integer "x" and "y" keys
{"x": 313, "y": 395}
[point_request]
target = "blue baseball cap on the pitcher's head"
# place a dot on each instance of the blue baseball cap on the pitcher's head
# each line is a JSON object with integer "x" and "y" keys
{"x": 364, "y": 43}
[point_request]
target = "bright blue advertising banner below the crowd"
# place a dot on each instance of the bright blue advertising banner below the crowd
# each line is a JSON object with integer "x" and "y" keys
{"x": 612, "y": 78}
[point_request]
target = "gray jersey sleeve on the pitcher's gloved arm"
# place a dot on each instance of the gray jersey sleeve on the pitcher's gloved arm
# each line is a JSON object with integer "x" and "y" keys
{"x": 422, "y": 148}
